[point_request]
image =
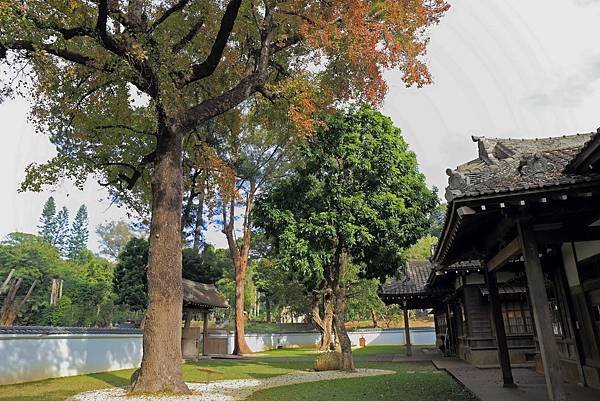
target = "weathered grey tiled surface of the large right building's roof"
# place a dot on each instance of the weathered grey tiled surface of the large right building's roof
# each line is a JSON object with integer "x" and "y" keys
{"x": 507, "y": 165}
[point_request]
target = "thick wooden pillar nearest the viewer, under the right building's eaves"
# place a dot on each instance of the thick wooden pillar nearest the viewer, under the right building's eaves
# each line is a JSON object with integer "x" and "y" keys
{"x": 541, "y": 313}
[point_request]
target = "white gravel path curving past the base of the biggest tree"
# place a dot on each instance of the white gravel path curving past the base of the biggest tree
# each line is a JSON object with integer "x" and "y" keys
{"x": 229, "y": 390}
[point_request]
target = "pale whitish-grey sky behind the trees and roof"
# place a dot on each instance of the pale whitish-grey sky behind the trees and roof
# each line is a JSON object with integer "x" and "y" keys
{"x": 501, "y": 68}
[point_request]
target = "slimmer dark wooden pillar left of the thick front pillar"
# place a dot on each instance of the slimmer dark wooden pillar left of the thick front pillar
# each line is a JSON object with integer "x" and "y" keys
{"x": 498, "y": 320}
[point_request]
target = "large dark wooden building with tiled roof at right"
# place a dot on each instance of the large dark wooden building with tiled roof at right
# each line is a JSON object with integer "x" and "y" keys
{"x": 519, "y": 259}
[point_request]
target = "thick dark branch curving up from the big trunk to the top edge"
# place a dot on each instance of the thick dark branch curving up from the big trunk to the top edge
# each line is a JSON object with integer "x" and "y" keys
{"x": 208, "y": 66}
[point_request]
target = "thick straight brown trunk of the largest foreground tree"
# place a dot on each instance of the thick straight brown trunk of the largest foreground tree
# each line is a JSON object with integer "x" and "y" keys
{"x": 161, "y": 362}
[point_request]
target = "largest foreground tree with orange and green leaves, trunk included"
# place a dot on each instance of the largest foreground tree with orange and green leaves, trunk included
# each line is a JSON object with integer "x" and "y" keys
{"x": 90, "y": 62}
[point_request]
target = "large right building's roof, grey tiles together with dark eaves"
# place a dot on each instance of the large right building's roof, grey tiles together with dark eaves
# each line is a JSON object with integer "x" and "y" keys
{"x": 510, "y": 173}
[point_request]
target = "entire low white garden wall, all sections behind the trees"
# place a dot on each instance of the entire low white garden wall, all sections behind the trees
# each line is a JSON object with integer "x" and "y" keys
{"x": 27, "y": 357}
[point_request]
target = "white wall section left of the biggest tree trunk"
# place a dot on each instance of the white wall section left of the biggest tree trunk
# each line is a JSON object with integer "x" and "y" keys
{"x": 26, "y": 358}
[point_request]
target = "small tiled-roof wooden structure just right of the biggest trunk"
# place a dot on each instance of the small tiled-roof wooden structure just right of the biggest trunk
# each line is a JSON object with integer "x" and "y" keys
{"x": 199, "y": 300}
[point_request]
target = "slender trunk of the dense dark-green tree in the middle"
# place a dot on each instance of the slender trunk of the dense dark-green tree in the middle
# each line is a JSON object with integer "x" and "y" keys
{"x": 339, "y": 309}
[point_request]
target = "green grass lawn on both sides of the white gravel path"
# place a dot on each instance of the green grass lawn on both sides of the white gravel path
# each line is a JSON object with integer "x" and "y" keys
{"x": 414, "y": 381}
